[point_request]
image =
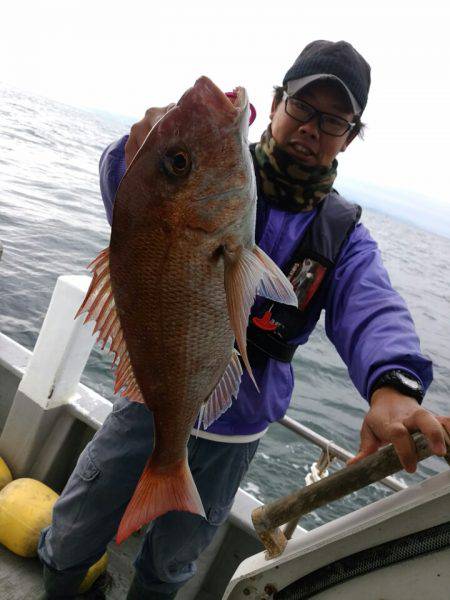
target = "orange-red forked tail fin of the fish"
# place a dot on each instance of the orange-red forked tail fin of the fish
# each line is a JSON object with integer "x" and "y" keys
{"x": 158, "y": 492}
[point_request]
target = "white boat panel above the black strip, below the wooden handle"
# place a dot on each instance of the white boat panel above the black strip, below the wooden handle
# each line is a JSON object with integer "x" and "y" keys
{"x": 416, "y": 508}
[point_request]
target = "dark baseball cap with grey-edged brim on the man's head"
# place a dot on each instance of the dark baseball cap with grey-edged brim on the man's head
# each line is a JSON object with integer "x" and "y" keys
{"x": 338, "y": 61}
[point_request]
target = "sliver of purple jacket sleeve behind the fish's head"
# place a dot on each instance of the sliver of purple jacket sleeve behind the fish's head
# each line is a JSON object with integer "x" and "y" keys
{"x": 112, "y": 169}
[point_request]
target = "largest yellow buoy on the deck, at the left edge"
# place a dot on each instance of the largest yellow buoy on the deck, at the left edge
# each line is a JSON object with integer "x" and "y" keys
{"x": 25, "y": 509}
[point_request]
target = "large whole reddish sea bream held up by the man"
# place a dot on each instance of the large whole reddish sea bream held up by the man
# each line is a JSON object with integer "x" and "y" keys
{"x": 174, "y": 289}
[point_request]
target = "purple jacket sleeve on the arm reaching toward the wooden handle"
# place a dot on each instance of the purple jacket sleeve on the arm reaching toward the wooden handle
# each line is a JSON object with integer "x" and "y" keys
{"x": 367, "y": 320}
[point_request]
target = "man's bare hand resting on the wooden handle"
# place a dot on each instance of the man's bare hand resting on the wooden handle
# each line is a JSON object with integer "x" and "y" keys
{"x": 391, "y": 419}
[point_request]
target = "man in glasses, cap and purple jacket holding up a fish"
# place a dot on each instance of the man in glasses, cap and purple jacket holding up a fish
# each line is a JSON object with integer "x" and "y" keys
{"x": 315, "y": 115}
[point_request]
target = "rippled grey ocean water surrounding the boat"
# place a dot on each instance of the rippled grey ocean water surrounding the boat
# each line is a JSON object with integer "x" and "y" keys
{"x": 52, "y": 223}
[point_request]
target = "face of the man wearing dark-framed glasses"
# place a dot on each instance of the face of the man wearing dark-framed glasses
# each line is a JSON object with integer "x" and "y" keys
{"x": 304, "y": 141}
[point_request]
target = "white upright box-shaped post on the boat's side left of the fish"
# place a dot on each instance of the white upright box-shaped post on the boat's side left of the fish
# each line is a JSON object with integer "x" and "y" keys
{"x": 62, "y": 348}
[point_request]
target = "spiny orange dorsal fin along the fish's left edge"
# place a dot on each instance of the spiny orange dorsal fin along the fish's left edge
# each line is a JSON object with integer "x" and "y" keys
{"x": 100, "y": 307}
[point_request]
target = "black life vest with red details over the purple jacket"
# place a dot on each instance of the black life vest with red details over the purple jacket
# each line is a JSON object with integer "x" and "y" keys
{"x": 273, "y": 325}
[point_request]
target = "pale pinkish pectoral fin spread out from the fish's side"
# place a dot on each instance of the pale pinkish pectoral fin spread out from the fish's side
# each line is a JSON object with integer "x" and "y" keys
{"x": 248, "y": 273}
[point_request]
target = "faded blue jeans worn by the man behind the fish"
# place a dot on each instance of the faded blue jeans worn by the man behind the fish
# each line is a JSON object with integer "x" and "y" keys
{"x": 88, "y": 513}
